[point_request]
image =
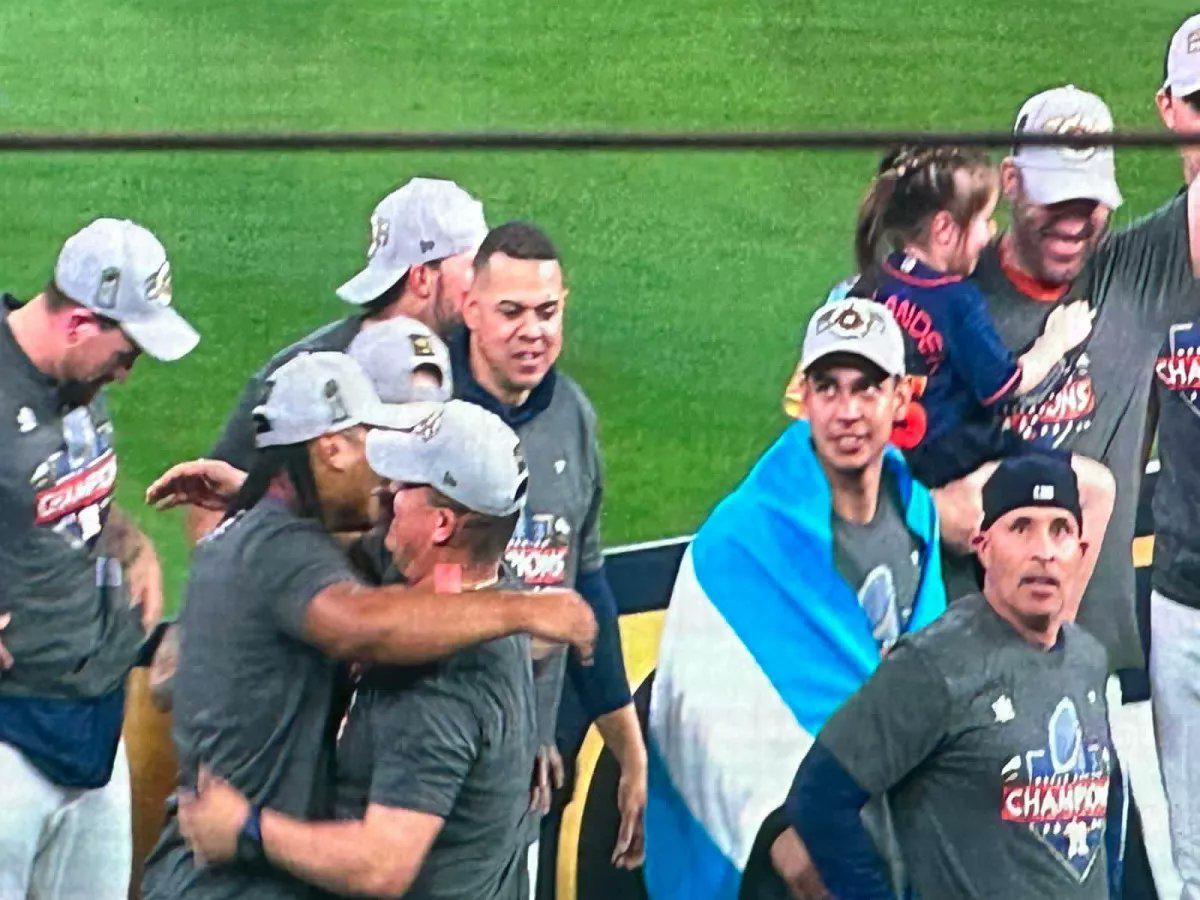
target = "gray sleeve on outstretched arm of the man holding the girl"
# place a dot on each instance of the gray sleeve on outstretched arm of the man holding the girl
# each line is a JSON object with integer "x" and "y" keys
{"x": 1149, "y": 267}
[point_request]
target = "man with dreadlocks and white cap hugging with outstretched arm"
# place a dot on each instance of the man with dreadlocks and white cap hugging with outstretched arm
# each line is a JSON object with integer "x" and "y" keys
{"x": 273, "y": 603}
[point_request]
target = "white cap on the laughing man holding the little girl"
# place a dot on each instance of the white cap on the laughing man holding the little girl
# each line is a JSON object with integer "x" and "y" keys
{"x": 1053, "y": 175}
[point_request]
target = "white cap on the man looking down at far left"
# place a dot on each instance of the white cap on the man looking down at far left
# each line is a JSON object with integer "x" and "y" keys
{"x": 119, "y": 271}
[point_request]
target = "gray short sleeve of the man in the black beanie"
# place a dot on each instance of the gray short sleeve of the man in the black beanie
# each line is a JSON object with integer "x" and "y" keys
{"x": 892, "y": 723}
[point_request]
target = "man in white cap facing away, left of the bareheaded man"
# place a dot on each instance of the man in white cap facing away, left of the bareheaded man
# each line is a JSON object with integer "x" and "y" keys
{"x": 423, "y": 241}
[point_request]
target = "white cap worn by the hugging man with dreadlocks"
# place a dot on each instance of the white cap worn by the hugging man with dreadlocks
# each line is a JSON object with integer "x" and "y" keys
{"x": 320, "y": 394}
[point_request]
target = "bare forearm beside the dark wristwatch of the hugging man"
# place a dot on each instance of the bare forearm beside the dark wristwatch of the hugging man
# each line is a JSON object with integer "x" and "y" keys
{"x": 335, "y": 856}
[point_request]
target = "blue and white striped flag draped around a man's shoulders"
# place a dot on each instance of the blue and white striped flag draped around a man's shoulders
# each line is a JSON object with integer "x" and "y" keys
{"x": 764, "y": 641}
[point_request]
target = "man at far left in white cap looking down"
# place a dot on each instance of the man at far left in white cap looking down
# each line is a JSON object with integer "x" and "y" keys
{"x": 70, "y": 563}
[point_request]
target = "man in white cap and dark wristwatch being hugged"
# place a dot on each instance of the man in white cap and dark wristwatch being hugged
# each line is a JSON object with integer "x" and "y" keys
{"x": 434, "y": 766}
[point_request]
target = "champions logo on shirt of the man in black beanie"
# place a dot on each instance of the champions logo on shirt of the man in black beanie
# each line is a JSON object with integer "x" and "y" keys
{"x": 1061, "y": 791}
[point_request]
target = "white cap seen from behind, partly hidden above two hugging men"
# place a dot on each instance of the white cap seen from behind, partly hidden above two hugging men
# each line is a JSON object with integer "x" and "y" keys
{"x": 392, "y": 352}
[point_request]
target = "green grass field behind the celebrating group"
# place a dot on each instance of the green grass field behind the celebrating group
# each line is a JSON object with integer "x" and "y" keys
{"x": 692, "y": 274}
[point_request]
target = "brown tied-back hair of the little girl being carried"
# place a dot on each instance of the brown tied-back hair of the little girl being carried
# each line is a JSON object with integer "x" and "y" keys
{"x": 914, "y": 184}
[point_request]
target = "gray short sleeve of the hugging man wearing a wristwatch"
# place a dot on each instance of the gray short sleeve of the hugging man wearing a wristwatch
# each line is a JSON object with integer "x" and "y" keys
{"x": 427, "y": 741}
